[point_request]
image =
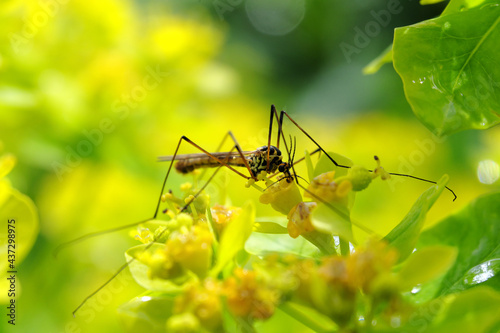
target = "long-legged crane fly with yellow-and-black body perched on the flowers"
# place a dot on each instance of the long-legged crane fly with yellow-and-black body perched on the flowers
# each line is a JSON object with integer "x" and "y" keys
{"x": 261, "y": 164}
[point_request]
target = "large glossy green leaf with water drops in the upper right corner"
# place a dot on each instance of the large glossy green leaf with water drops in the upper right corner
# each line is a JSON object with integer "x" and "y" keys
{"x": 449, "y": 72}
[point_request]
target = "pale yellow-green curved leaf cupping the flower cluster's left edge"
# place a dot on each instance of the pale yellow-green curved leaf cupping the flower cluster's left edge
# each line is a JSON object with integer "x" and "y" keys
{"x": 140, "y": 271}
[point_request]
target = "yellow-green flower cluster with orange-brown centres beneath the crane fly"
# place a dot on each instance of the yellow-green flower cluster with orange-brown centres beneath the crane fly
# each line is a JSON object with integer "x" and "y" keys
{"x": 188, "y": 252}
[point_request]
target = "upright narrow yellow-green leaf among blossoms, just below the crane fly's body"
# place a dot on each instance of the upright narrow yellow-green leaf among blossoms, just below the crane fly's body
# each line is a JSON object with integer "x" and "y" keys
{"x": 234, "y": 237}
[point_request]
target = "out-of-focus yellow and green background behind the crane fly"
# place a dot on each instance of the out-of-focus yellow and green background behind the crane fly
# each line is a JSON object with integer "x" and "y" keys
{"x": 91, "y": 92}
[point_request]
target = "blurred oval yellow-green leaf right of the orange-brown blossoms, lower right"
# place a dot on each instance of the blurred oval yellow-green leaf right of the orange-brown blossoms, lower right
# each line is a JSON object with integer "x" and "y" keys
{"x": 425, "y": 265}
